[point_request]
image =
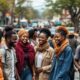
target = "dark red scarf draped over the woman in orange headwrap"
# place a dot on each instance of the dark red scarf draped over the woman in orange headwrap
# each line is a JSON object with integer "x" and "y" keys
{"x": 20, "y": 54}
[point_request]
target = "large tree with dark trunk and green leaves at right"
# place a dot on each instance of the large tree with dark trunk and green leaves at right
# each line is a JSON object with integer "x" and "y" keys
{"x": 73, "y": 6}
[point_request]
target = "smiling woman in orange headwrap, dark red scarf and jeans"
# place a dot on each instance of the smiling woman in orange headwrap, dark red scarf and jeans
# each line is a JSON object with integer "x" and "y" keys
{"x": 25, "y": 56}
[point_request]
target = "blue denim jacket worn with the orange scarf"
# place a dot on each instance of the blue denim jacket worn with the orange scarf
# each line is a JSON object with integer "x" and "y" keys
{"x": 62, "y": 65}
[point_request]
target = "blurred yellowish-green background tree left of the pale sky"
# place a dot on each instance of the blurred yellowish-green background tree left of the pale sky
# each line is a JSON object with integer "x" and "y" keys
{"x": 27, "y": 12}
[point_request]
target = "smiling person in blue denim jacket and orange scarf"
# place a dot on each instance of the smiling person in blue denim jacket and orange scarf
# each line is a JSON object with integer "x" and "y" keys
{"x": 62, "y": 64}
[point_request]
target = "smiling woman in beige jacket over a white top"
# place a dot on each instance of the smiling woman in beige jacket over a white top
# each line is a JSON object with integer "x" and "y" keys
{"x": 44, "y": 54}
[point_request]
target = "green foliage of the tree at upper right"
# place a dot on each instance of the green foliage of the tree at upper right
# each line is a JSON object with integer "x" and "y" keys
{"x": 59, "y": 5}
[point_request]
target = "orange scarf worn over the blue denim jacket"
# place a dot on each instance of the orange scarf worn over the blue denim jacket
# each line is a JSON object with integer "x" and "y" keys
{"x": 59, "y": 49}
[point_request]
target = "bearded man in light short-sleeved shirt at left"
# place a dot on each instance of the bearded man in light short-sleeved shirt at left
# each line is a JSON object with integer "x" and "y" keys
{"x": 8, "y": 56}
